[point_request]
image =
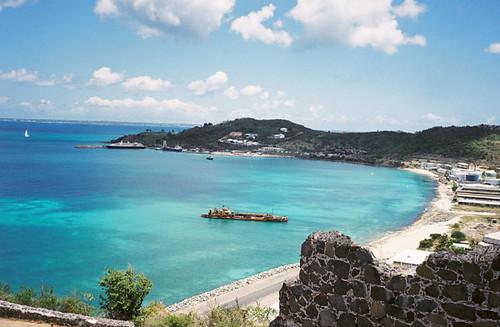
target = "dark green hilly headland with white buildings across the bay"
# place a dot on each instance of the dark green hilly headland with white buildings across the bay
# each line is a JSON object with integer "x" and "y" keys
{"x": 282, "y": 137}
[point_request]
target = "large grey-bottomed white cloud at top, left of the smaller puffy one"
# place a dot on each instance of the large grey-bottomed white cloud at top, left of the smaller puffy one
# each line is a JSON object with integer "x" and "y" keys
{"x": 157, "y": 17}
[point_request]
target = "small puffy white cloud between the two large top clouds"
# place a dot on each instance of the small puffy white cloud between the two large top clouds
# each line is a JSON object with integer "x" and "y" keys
{"x": 251, "y": 27}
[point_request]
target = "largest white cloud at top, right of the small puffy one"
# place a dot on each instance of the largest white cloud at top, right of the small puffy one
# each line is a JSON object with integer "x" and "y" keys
{"x": 357, "y": 23}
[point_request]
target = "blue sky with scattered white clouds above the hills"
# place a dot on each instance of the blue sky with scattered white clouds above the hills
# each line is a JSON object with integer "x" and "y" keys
{"x": 351, "y": 65}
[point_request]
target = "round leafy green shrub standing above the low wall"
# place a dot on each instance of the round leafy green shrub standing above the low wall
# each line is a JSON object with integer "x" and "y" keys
{"x": 124, "y": 291}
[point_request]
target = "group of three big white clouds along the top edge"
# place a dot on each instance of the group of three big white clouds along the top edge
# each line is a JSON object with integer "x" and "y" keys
{"x": 357, "y": 23}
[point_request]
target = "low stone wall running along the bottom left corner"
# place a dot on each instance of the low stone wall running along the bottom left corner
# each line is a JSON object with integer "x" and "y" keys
{"x": 23, "y": 312}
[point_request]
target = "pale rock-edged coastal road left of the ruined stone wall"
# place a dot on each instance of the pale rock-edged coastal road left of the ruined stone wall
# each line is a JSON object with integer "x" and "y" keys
{"x": 263, "y": 292}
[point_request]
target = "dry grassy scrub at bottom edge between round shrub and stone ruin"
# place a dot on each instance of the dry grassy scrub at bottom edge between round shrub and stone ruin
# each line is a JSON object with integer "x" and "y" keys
{"x": 218, "y": 316}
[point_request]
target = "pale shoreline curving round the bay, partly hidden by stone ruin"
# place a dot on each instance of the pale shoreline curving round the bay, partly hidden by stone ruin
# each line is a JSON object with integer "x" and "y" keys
{"x": 436, "y": 218}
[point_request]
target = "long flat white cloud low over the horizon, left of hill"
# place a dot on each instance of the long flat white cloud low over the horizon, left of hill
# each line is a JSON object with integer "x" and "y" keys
{"x": 148, "y": 103}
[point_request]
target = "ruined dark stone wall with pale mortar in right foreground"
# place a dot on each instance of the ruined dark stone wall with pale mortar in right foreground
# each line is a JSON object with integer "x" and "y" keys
{"x": 341, "y": 284}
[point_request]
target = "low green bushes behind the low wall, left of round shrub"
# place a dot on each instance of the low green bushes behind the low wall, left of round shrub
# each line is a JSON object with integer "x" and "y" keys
{"x": 46, "y": 298}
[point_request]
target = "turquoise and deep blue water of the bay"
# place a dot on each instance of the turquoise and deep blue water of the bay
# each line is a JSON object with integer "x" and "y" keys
{"x": 66, "y": 214}
